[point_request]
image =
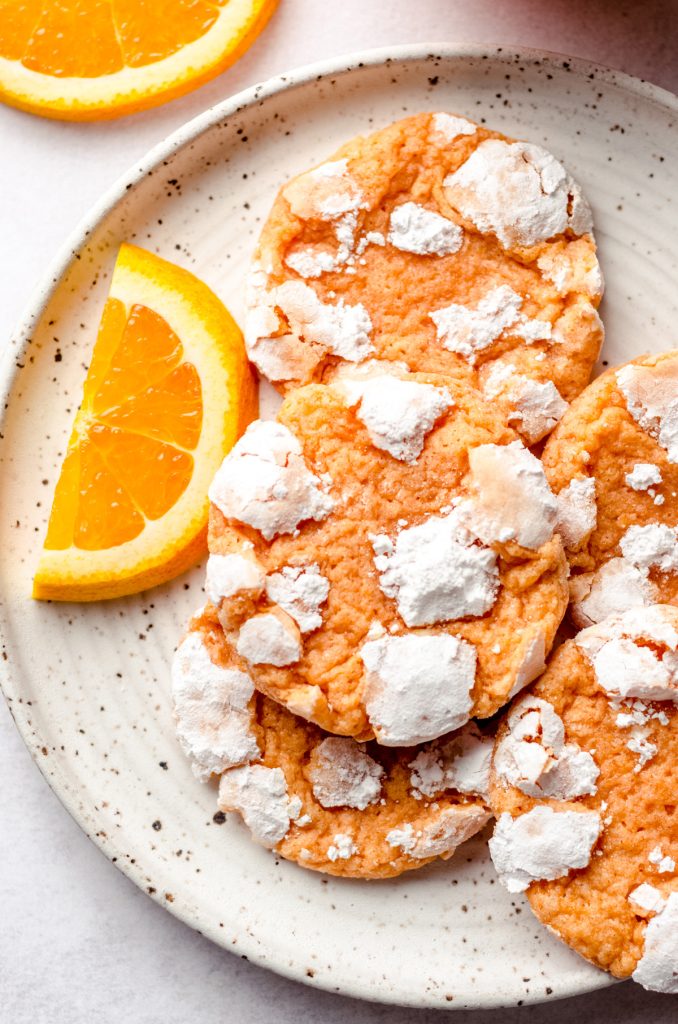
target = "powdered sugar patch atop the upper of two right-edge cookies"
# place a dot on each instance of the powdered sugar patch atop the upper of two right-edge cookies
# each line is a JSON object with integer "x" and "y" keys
{"x": 653, "y": 401}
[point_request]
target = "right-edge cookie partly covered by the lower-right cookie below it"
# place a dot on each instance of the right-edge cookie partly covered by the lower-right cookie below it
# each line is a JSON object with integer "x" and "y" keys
{"x": 613, "y": 461}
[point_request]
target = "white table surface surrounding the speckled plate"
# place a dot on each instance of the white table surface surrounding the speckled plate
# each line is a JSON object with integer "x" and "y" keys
{"x": 78, "y": 942}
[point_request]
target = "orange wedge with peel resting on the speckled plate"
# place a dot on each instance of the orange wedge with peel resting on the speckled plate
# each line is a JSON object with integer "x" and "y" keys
{"x": 168, "y": 394}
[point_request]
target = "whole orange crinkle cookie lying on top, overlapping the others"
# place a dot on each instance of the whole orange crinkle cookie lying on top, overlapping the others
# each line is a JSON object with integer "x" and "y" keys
{"x": 384, "y": 557}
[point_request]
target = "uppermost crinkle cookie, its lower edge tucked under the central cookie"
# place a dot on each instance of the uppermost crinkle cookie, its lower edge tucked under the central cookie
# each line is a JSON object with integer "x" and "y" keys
{"x": 441, "y": 244}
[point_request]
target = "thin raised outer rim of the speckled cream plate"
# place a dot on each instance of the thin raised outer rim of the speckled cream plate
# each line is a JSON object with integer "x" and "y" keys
{"x": 43, "y": 293}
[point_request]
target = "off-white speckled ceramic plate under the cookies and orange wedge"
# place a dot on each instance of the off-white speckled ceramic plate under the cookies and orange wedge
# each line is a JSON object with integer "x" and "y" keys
{"x": 89, "y": 687}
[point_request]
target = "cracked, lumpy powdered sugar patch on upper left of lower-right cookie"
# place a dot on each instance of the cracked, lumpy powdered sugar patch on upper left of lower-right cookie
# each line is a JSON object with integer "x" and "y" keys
{"x": 534, "y": 757}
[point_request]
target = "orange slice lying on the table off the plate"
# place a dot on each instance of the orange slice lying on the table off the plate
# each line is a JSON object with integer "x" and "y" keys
{"x": 88, "y": 60}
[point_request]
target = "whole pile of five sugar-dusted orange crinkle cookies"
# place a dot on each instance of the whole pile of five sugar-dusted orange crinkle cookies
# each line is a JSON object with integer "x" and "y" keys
{"x": 440, "y": 496}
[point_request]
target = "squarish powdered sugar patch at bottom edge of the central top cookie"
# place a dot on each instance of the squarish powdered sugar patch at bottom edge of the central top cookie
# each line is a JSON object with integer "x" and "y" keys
{"x": 417, "y": 688}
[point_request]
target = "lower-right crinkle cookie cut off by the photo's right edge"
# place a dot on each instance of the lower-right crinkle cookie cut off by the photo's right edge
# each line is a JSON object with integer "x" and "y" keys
{"x": 584, "y": 783}
